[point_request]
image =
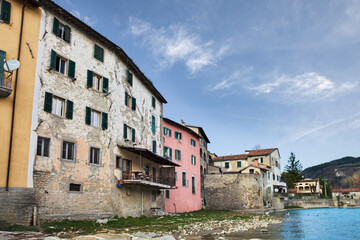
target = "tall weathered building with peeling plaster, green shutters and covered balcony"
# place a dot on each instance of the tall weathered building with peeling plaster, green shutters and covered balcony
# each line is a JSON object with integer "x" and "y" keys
{"x": 99, "y": 132}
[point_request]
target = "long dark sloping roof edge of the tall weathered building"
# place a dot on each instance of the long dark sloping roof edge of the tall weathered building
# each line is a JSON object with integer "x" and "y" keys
{"x": 56, "y": 9}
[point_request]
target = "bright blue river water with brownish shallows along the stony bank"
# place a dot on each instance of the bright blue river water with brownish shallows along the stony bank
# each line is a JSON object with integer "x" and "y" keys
{"x": 325, "y": 223}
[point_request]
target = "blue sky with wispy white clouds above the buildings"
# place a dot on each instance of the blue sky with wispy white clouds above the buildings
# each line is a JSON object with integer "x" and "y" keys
{"x": 275, "y": 74}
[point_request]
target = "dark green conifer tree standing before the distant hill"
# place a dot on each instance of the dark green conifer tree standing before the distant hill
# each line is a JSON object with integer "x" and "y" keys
{"x": 292, "y": 172}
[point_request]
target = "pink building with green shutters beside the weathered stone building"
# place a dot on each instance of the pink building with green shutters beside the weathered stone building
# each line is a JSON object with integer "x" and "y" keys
{"x": 182, "y": 145}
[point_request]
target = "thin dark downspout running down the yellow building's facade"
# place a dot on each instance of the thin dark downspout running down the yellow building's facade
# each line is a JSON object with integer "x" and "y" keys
{"x": 14, "y": 99}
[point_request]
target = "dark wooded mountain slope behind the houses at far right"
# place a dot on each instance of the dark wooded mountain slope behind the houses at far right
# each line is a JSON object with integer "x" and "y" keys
{"x": 341, "y": 173}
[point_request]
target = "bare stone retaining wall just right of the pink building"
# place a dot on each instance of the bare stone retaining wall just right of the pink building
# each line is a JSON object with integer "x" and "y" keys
{"x": 233, "y": 191}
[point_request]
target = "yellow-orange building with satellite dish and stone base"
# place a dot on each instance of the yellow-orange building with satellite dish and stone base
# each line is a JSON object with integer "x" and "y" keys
{"x": 19, "y": 29}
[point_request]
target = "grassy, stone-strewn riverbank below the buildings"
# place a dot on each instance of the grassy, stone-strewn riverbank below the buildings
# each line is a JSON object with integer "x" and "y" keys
{"x": 179, "y": 226}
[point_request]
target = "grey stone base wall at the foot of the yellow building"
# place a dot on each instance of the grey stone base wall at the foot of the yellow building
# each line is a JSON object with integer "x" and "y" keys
{"x": 16, "y": 206}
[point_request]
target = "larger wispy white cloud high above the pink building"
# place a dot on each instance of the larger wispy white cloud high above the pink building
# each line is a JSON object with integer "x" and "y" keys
{"x": 177, "y": 44}
